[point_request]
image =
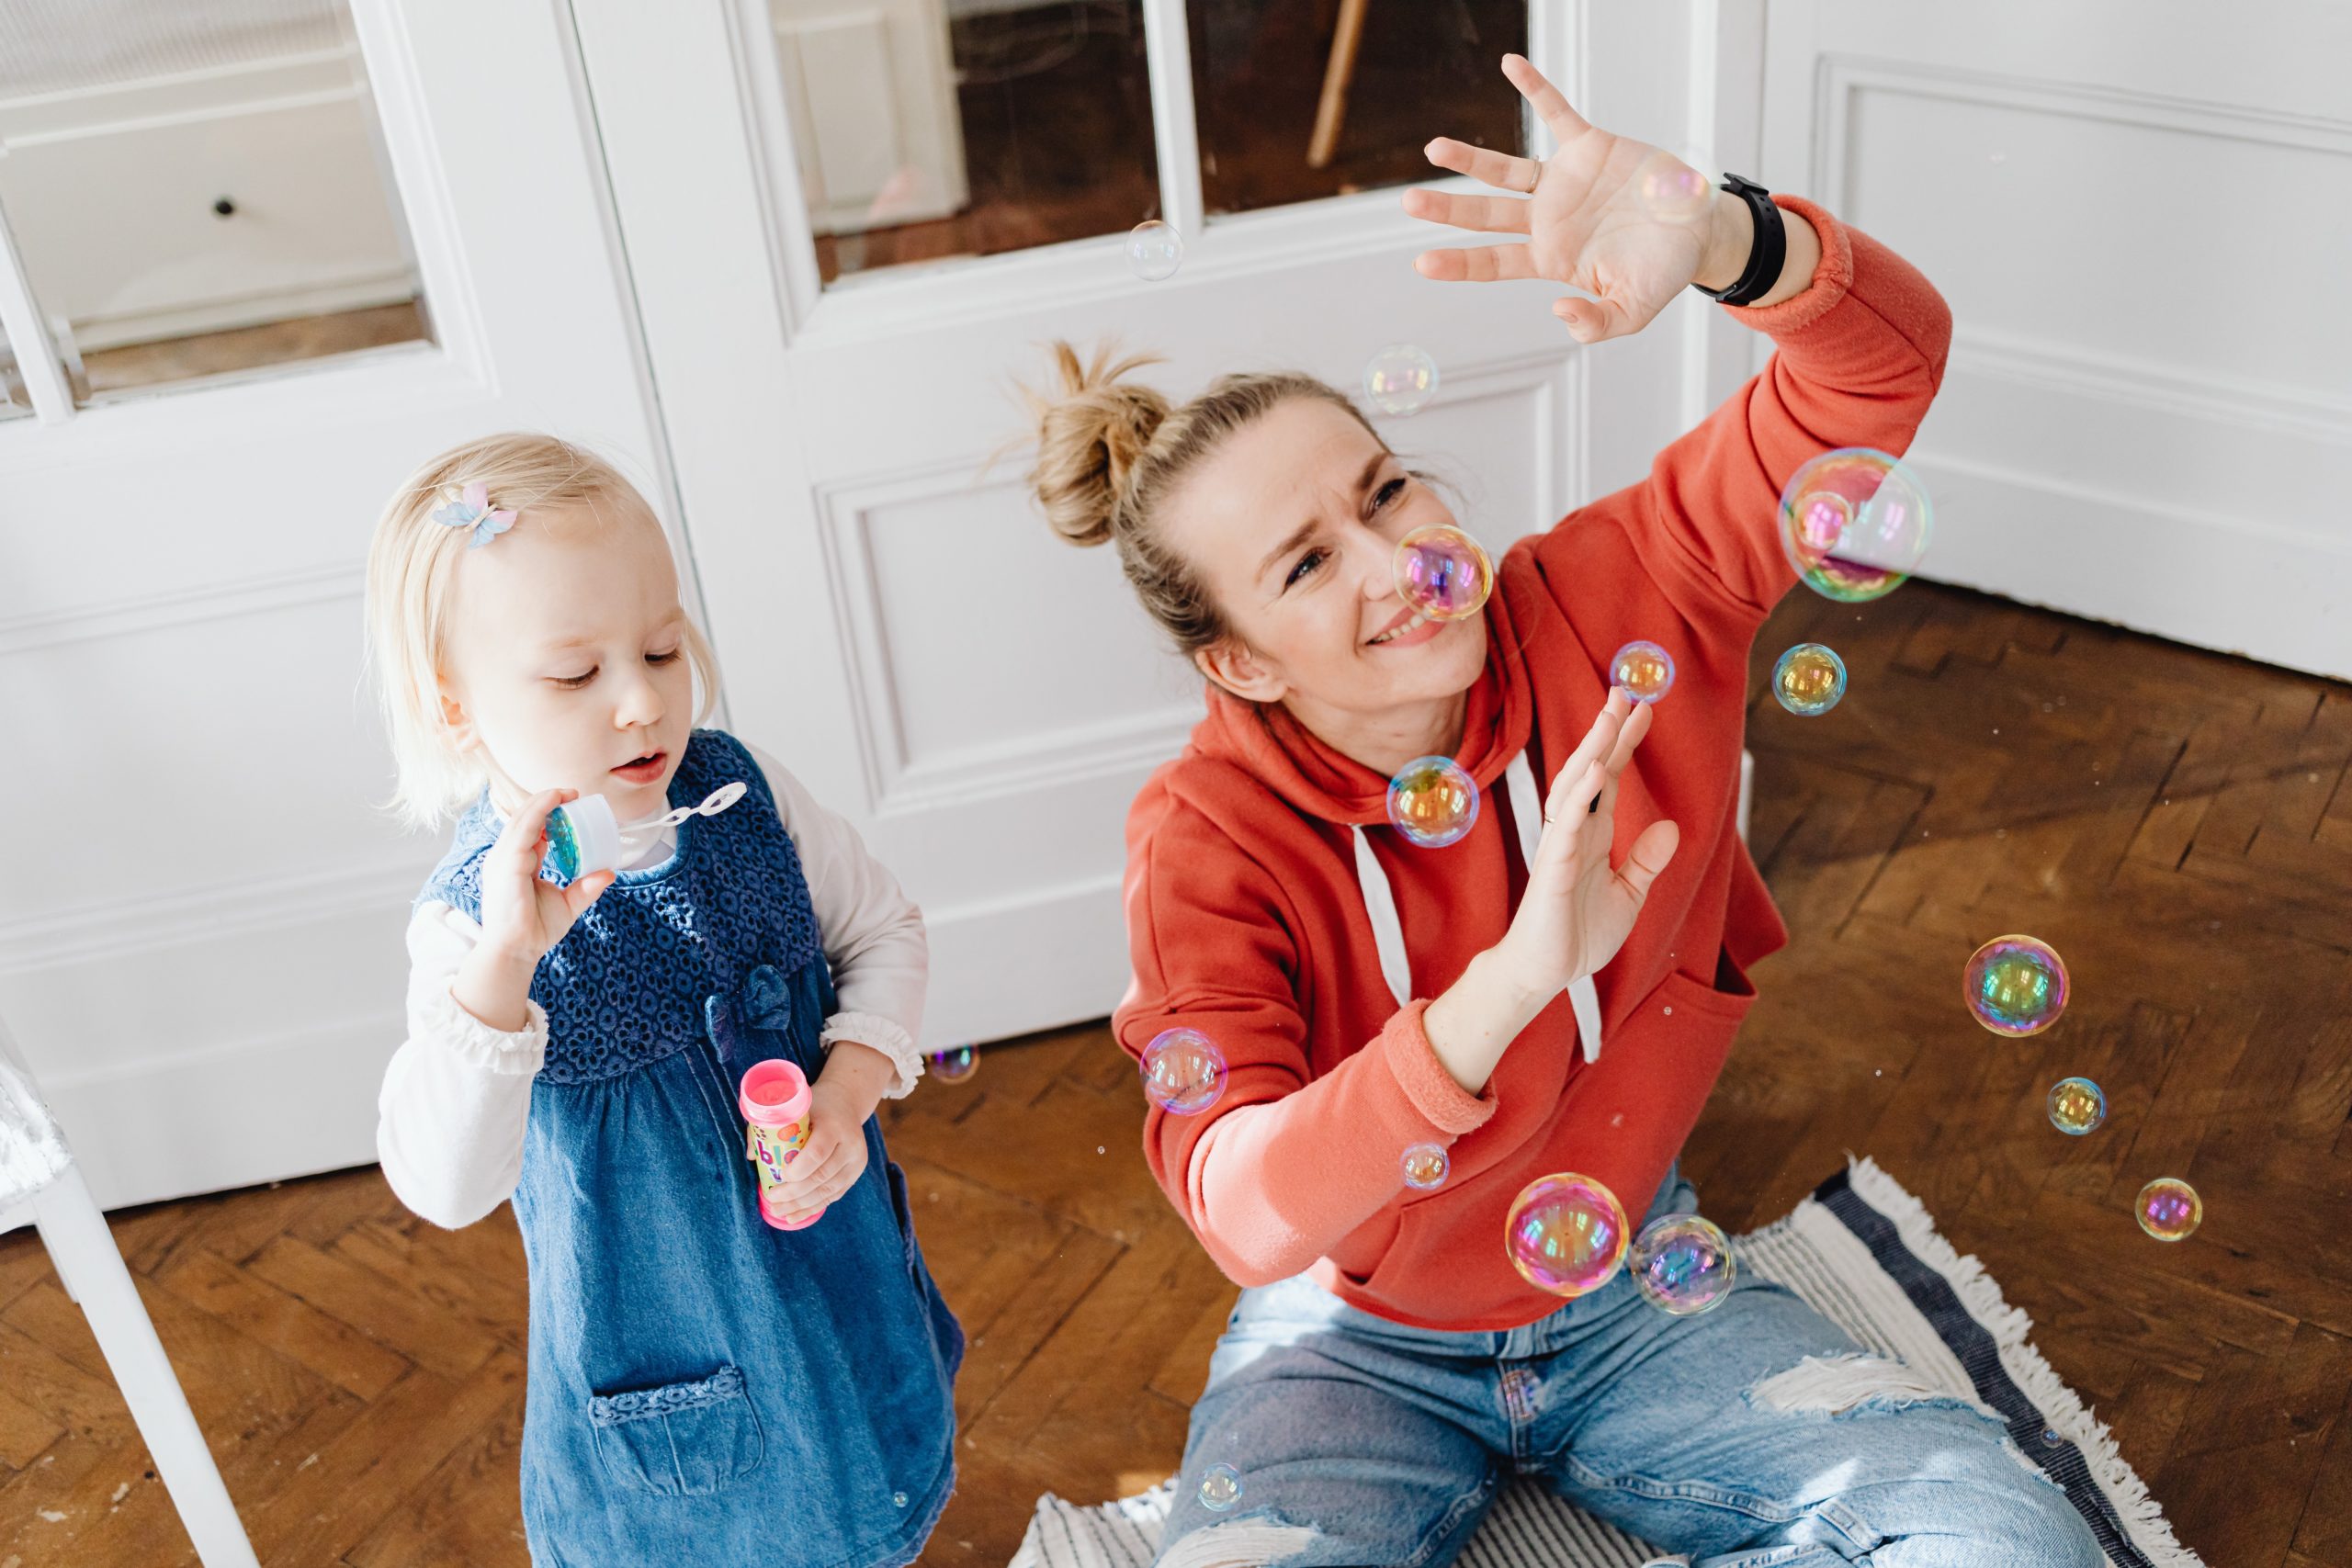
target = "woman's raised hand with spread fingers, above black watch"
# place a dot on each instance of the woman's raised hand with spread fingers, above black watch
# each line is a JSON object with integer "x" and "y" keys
{"x": 1584, "y": 217}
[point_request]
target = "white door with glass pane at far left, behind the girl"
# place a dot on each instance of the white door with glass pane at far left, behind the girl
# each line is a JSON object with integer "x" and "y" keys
{"x": 201, "y": 918}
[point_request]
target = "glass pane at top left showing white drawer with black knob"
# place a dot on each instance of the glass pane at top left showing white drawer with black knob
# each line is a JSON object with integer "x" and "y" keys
{"x": 199, "y": 189}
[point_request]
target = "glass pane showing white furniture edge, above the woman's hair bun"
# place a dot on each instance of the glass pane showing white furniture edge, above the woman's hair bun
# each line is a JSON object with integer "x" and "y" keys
{"x": 965, "y": 128}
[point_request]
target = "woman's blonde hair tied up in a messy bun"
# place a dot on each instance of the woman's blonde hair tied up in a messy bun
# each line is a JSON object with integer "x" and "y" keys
{"x": 1111, "y": 453}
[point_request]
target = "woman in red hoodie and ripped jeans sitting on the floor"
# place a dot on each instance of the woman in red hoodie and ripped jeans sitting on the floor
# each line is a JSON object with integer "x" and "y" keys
{"x": 1387, "y": 1369}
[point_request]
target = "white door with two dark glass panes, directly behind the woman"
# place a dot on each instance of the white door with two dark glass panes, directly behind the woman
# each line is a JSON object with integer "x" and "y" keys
{"x": 890, "y": 612}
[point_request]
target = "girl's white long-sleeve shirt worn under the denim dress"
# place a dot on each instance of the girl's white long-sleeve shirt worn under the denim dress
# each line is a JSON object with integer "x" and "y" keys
{"x": 457, "y": 1094}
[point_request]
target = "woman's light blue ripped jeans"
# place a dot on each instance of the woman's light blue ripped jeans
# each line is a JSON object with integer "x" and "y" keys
{"x": 1375, "y": 1445}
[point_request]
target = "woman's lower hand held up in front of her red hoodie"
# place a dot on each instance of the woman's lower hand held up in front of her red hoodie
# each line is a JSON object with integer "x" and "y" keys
{"x": 1577, "y": 911}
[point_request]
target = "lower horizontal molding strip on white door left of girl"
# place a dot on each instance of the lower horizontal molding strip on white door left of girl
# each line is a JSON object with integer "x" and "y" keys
{"x": 211, "y": 913}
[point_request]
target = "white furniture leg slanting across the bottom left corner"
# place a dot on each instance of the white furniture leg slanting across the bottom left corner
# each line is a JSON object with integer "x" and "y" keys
{"x": 93, "y": 1273}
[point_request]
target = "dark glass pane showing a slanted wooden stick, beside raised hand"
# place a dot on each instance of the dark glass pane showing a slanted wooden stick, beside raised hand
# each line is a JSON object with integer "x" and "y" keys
{"x": 1323, "y": 98}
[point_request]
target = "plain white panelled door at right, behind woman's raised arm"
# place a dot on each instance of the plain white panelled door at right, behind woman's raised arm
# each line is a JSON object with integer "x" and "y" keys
{"x": 2139, "y": 217}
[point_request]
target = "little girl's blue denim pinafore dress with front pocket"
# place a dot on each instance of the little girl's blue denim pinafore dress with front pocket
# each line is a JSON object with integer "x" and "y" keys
{"x": 704, "y": 1388}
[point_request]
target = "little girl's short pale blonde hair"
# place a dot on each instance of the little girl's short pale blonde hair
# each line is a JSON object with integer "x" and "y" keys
{"x": 410, "y": 572}
